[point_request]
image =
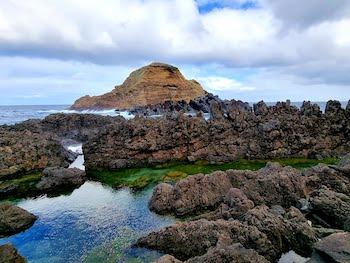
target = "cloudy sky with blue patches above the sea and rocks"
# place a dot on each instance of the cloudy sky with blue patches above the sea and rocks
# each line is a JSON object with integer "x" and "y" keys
{"x": 53, "y": 52}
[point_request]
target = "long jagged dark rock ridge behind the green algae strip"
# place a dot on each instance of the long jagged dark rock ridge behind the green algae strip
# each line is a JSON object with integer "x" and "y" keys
{"x": 265, "y": 133}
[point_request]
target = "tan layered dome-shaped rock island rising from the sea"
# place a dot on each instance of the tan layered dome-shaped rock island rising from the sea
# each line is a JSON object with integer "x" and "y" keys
{"x": 149, "y": 85}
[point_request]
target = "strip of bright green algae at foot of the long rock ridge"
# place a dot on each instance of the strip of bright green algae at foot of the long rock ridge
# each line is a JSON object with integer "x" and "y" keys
{"x": 139, "y": 178}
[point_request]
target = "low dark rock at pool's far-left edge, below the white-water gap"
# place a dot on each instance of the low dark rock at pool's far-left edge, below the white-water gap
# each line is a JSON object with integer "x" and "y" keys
{"x": 58, "y": 179}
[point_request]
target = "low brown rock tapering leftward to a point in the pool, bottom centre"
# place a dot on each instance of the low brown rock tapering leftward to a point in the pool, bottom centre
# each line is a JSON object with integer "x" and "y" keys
{"x": 190, "y": 239}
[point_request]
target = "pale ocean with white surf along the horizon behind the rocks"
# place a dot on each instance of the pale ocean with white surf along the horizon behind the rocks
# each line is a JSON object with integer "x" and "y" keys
{"x": 17, "y": 113}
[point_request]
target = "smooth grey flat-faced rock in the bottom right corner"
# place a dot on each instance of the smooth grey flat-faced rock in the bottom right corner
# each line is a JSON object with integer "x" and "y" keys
{"x": 333, "y": 248}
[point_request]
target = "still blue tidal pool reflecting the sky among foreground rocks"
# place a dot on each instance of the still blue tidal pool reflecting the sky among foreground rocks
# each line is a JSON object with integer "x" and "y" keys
{"x": 94, "y": 223}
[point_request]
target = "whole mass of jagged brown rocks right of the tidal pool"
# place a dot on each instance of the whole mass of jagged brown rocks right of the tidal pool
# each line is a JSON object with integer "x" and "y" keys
{"x": 244, "y": 216}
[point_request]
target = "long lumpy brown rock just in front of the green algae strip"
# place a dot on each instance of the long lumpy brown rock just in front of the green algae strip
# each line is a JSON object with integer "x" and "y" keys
{"x": 272, "y": 185}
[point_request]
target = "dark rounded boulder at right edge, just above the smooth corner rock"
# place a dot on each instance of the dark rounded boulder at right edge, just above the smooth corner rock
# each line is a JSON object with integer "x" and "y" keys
{"x": 330, "y": 208}
